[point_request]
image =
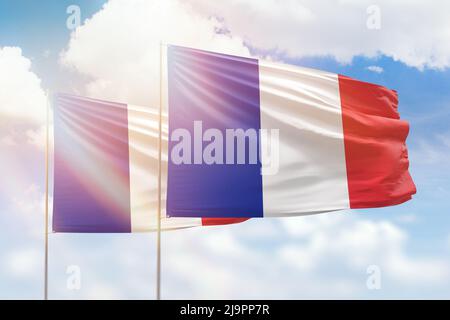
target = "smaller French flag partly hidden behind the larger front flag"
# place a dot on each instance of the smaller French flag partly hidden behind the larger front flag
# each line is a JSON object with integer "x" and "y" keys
{"x": 106, "y": 169}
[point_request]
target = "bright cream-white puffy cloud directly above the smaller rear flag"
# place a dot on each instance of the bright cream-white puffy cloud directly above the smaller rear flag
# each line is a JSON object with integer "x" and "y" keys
{"x": 119, "y": 47}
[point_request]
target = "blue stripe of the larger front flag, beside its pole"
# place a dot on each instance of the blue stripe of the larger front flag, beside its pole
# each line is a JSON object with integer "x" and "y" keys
{"x": 222, "y": 92}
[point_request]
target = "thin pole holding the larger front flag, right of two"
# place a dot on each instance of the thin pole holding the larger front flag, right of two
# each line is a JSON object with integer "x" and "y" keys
{"x": 158, "y": 236}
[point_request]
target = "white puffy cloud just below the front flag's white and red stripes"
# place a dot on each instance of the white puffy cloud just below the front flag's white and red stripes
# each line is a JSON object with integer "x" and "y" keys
{"x": 359, "y": 243}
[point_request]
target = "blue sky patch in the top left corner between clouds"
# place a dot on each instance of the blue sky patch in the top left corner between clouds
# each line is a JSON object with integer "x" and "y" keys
{"x": 39, "y": 27}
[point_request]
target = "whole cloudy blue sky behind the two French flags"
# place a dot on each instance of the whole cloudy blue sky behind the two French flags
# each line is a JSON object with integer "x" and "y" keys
{"x": 113, "y": 55}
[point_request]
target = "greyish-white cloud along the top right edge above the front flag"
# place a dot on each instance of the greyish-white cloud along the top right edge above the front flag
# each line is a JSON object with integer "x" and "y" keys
{"x": 339, "y": 28}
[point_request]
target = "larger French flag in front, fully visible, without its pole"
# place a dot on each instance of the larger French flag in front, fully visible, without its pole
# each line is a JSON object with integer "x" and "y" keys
{"x": 341, "y": 143}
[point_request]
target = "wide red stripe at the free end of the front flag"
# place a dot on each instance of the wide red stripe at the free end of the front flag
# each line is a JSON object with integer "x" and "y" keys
{"x": 375, "y": 150}
